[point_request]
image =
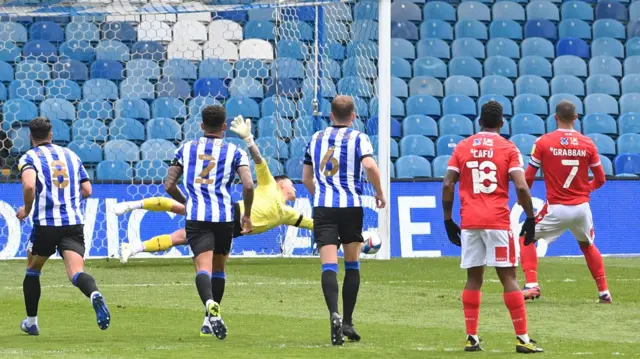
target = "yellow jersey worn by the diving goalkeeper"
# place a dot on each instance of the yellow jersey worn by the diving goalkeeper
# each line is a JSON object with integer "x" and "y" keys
{"x": 269, "y": 208}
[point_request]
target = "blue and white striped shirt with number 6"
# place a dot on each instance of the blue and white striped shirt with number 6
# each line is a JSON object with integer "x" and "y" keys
{"x": 335, "y": 154}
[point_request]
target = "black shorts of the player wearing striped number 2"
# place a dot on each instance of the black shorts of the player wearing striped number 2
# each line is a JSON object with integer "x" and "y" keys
{"x": 209, "y": 236}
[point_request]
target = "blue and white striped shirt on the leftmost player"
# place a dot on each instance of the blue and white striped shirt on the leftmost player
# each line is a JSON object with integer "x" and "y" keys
{"x": 59, "y": 173}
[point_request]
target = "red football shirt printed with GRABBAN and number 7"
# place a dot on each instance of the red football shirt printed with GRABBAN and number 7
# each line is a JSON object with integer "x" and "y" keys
{"x": 565, "y": 157}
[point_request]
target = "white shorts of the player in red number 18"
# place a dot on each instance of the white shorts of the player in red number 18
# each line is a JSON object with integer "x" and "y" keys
{"x": 490, "y": 247}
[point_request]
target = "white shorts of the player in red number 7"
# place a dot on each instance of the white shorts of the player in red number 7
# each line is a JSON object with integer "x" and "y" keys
{"x": 555, "y": 219}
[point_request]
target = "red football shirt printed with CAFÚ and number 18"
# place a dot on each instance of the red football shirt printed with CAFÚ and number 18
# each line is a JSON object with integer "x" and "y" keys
{"x": 484, "y": 162}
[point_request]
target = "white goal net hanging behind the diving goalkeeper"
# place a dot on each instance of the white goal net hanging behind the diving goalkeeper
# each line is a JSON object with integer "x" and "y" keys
{"x": 124, "y": 83}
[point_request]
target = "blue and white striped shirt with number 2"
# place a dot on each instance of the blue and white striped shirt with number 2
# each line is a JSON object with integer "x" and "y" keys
{"x": 209, "y": 170}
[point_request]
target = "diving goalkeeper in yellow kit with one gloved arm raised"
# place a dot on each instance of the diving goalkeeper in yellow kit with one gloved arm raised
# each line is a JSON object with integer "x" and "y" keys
{"x": 269, "y": 207}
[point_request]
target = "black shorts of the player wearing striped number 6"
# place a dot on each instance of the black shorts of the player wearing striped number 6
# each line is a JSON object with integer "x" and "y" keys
{"x": 337, "y": 225}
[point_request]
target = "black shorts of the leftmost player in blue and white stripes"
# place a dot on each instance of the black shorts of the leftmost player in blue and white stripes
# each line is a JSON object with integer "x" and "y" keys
{"x": 46, "y": 239}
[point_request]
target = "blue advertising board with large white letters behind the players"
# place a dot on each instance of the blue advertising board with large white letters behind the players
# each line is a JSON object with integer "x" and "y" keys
{"x": 416, "y": 222}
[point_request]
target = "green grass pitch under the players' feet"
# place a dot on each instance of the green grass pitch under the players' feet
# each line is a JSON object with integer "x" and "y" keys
{"x": 407, "y": 308}
